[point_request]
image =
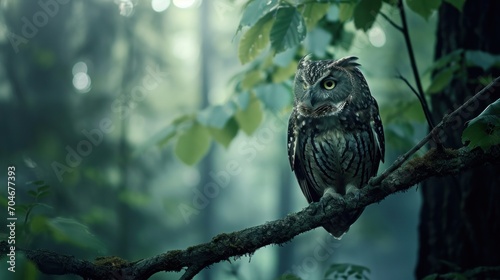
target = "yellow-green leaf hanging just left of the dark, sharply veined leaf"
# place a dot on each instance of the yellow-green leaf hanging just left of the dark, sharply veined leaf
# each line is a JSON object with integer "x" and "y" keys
{"x": 255, "y": 39}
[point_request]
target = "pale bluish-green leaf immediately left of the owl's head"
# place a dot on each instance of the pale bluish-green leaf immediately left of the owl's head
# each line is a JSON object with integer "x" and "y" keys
{"x": 274, "y": 96}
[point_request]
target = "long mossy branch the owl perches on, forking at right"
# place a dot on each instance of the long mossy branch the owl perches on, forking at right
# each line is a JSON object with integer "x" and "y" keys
{"x": 399, "y": 177}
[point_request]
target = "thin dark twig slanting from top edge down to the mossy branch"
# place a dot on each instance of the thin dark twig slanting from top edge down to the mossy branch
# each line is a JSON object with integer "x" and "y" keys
{"x": 409, "y": 46}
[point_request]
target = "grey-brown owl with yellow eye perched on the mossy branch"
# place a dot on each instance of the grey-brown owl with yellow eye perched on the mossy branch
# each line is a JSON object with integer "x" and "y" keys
{"x": 335, "y": 134}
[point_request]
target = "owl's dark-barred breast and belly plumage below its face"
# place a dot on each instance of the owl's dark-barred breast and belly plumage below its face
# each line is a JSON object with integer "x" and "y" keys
{"x": 333, "y": 154}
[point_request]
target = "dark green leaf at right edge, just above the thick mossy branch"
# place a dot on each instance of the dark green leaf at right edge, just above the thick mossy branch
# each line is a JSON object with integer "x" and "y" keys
{"x": 484, "y": 130}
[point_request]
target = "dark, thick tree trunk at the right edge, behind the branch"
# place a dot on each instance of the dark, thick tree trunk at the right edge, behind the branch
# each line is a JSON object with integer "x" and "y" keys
{"x": 460, "y": 217}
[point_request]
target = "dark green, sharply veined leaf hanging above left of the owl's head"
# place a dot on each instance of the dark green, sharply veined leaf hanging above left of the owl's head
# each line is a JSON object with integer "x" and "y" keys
{"x": 288, "y": 30}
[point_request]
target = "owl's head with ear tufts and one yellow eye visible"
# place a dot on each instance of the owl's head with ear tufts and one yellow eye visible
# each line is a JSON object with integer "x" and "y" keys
{"x": 326, "y": 87}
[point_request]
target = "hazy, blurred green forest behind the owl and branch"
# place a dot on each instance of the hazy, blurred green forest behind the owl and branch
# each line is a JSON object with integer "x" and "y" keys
{"x": 89, "y": 91}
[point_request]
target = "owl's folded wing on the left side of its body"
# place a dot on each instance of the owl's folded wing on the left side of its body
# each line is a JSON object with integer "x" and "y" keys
{"x": 297, "y": 163}
